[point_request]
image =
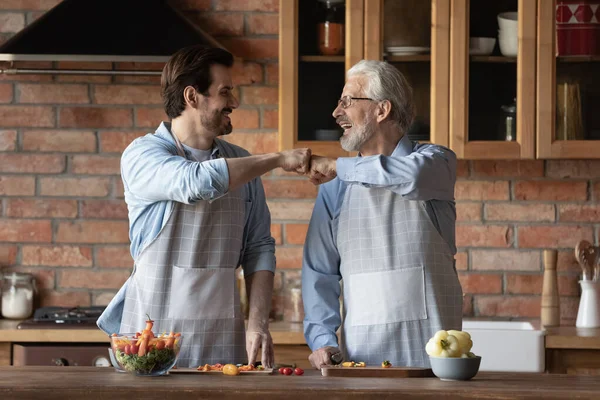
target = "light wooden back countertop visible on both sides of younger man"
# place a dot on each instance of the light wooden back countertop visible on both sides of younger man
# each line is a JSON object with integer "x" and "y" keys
{"x": 282, "y": 333}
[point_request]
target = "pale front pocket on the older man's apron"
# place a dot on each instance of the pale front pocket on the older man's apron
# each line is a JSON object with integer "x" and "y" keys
{"x": 386, "y": 297}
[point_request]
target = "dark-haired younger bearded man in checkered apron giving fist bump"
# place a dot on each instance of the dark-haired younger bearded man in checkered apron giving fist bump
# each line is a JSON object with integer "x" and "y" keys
{"x": 197, "y": 211}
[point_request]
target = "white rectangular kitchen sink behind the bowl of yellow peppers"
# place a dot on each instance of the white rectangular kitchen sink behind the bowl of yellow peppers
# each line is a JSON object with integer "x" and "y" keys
{"x": 507, "y": 346}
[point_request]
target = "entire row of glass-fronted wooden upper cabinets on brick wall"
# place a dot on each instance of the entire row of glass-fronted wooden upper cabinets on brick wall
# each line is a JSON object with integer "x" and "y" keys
{"x": 502, "y": 79}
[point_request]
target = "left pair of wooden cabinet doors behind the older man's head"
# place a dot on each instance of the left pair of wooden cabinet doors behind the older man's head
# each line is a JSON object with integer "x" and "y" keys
{"x": 310, "y": 83}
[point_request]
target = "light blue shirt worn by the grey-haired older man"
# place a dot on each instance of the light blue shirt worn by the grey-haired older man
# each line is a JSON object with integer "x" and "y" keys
{"x": 422, "y": 172}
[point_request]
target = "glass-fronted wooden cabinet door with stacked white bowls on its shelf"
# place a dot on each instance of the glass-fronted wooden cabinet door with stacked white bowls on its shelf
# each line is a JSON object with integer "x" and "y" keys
{"x": 492, "y": 90}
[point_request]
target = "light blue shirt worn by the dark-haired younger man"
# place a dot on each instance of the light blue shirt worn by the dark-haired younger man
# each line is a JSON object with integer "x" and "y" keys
{"x": 155, "y": 177}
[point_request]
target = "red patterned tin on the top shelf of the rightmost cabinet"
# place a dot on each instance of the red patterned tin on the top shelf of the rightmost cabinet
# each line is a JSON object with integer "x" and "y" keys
{"x": 578, "y": 27}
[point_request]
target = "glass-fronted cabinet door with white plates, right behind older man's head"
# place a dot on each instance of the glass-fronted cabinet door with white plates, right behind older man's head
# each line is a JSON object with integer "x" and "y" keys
{"x": 413, "y": 35}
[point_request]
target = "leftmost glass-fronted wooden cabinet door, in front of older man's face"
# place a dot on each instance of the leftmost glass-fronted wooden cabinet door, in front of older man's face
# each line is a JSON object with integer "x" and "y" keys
{"x": 311, "y": 83}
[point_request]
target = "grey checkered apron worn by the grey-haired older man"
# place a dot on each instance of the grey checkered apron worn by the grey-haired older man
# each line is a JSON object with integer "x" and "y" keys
{"x": 400, "y": 284}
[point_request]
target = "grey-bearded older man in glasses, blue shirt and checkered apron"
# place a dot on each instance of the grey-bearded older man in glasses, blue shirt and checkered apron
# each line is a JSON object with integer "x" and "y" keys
{"x": 385, "y": 228}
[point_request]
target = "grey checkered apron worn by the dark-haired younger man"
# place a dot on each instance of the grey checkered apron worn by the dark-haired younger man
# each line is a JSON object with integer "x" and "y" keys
{"x": 185, "y": 280}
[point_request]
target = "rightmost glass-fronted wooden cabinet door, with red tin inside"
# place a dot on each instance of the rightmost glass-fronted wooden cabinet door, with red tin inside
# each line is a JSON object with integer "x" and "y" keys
{"x": 568, "y": 79}
